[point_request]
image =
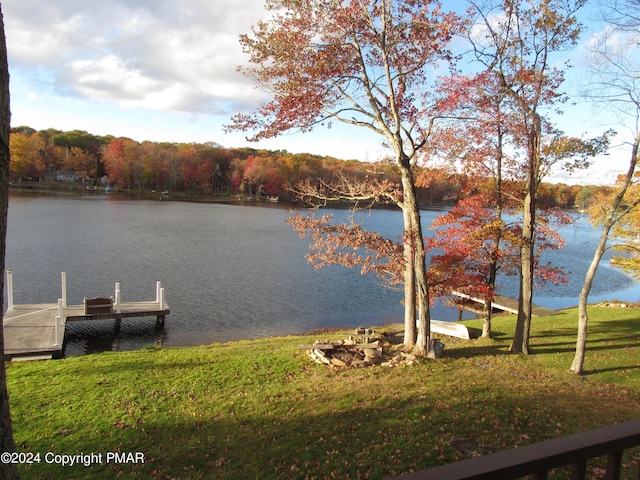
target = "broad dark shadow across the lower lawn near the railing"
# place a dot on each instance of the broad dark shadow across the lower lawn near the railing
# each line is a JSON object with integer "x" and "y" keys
{"x": 358, "y": 437}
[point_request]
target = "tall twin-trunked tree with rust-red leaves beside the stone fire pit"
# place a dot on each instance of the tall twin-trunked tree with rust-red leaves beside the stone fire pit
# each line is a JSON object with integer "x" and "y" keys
{"x": 365, "y": 63}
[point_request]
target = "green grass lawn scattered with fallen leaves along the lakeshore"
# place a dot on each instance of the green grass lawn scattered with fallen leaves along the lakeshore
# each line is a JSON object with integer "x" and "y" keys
{"x": 261, "y": 409}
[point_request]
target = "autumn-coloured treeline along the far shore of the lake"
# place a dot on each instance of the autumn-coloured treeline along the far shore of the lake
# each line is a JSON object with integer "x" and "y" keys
{"x": 209, "y": 168}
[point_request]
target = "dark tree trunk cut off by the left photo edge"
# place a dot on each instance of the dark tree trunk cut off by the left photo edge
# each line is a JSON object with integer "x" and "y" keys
{"x": 8, "y": 471}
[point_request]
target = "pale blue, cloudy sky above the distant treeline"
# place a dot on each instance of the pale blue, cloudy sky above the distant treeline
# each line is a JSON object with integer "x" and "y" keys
{"x": 162, "y": 70}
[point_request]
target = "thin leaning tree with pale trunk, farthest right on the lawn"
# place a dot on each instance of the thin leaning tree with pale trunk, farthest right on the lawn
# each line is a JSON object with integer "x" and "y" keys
{"x": 615, "y": 85}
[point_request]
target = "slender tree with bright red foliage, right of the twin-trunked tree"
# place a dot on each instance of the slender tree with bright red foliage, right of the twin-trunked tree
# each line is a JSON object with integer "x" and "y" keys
{"x": 488, "y": 144}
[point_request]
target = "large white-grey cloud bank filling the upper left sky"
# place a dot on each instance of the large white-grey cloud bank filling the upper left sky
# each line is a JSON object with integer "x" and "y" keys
{"x": 152, "y": 54}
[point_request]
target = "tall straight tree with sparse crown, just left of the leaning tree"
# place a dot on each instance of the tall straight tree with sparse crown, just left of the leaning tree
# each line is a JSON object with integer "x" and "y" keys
{"x": 515, "y": 40}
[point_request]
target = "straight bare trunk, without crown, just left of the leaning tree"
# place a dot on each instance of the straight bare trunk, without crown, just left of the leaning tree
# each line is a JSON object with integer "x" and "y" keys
{"x": 520, "y": 342}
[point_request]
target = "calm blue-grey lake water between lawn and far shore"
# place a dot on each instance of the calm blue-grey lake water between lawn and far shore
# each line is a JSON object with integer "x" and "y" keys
{"x": 230, "y": 272}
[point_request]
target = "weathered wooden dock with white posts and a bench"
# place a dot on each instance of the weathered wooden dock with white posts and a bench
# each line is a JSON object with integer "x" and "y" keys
{"x": 36, "y": 331}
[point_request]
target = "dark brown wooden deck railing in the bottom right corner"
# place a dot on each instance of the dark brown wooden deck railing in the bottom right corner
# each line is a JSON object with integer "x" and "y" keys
{"x": 538, "y": 459}
